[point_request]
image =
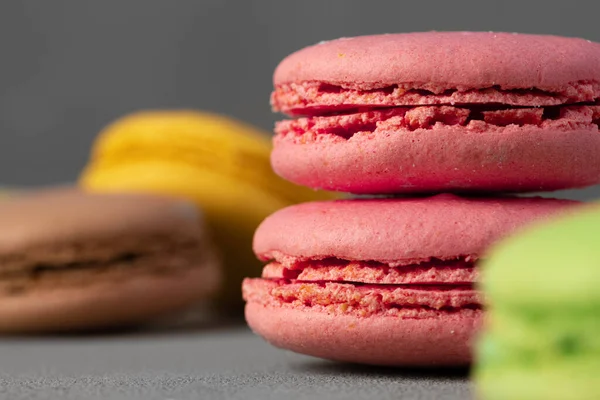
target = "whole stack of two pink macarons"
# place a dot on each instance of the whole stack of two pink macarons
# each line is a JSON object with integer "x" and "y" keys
{"x": 389, "y": 281}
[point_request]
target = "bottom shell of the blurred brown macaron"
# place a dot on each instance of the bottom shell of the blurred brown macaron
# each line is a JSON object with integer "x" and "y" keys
{"x": 107, "y": 303}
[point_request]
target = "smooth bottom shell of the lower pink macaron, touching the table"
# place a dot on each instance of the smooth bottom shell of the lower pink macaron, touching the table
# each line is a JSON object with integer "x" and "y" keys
{"x": 376, "y": 340}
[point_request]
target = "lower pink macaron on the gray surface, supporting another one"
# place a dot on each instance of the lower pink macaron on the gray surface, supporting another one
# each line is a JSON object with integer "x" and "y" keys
{"x": 380, "y": 281}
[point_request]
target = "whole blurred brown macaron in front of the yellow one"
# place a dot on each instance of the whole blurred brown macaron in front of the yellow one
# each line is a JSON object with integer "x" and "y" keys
{"x": 72, "y": 261}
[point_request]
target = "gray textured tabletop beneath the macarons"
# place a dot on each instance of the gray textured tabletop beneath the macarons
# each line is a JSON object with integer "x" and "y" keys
{"x": 220, "y": 363}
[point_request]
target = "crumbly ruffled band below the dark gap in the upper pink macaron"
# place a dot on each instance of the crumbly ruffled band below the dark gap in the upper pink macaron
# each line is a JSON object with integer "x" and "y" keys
{"x": 475, "y": 119}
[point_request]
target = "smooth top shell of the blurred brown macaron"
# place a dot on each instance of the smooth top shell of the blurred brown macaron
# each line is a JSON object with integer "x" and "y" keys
{"x": 65, "y": 215}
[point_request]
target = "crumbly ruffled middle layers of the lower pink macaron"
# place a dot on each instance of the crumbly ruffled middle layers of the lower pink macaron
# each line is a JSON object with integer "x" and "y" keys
{"x": 365, "y": 288}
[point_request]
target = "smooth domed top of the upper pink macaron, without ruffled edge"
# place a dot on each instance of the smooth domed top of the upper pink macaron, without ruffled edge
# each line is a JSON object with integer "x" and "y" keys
{"x": 453, "y": 59}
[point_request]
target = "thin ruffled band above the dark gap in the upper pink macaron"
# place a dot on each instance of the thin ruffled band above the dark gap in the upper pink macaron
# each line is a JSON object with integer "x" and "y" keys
{"x": 319, "y": 97}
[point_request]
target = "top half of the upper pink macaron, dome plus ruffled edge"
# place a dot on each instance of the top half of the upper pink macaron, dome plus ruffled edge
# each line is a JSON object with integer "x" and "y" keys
{"x": 438, "y": 68}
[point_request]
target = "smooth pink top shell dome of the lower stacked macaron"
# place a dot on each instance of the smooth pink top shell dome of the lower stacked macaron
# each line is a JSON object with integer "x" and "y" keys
{"x": 398, "y": 231}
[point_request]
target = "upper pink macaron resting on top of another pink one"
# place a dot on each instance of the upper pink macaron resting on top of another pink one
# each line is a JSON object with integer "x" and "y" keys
{"x": 452, "y": 111}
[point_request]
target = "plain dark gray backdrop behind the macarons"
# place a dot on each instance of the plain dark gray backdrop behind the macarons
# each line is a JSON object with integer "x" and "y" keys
{"x": 71, "y": 66}
